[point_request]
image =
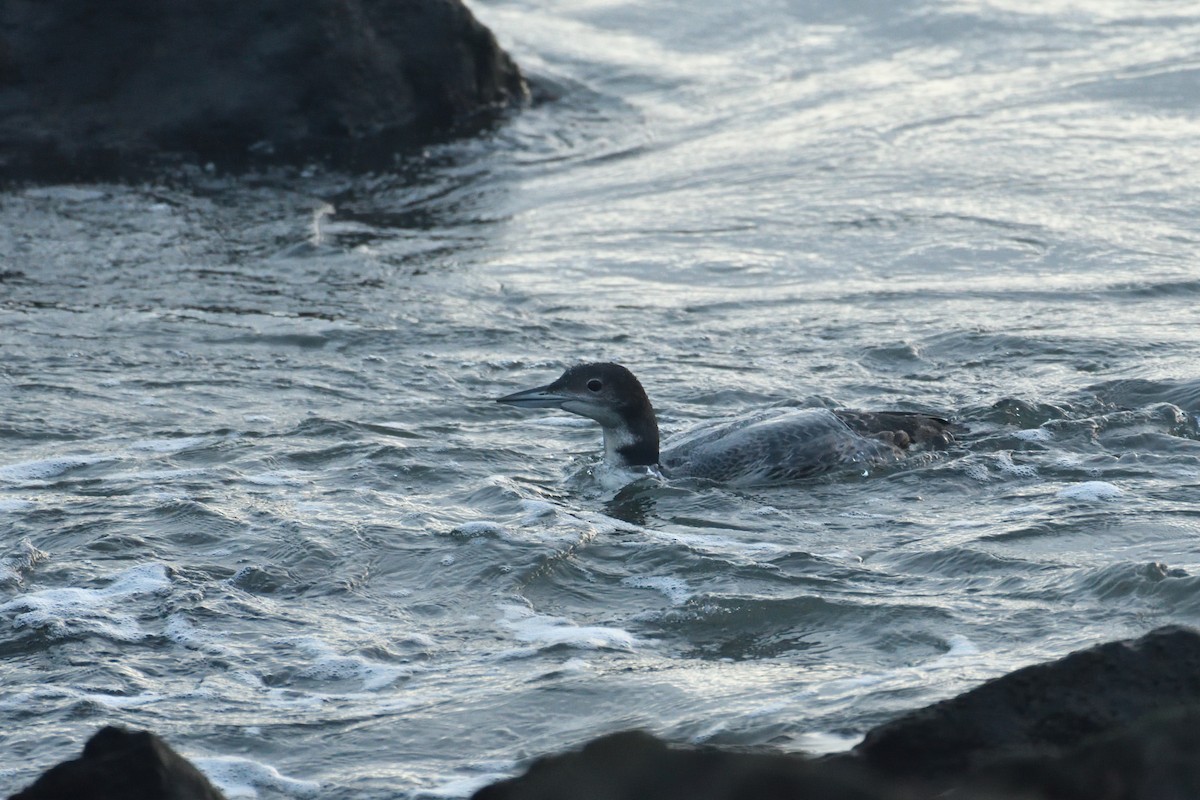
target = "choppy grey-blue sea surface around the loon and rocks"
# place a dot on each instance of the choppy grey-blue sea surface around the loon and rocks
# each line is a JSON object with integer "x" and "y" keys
{"x": 255, "y": 495}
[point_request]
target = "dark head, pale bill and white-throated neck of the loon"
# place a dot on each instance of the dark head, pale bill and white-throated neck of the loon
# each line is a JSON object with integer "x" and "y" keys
{"x": 614, "y": 398}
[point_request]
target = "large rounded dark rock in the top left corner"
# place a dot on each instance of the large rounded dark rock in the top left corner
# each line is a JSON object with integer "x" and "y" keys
{"x": 94, "y": 89}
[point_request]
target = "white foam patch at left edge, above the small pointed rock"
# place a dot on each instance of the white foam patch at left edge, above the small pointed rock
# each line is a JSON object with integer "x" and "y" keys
{"x": 73, "y": 612}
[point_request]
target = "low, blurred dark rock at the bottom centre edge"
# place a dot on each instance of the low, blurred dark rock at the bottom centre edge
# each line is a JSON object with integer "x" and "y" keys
{"x": 635, "y": 766}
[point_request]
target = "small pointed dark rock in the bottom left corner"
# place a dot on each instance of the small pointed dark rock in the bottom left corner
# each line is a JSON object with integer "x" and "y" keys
{"x": 121, "y": 765}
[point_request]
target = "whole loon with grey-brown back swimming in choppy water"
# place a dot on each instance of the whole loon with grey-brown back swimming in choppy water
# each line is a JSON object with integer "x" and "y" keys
{"x": 771, "y": 448}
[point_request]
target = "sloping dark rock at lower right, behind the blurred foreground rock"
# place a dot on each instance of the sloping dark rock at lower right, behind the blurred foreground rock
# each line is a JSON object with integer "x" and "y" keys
{"x": 1046, "y": 708}
